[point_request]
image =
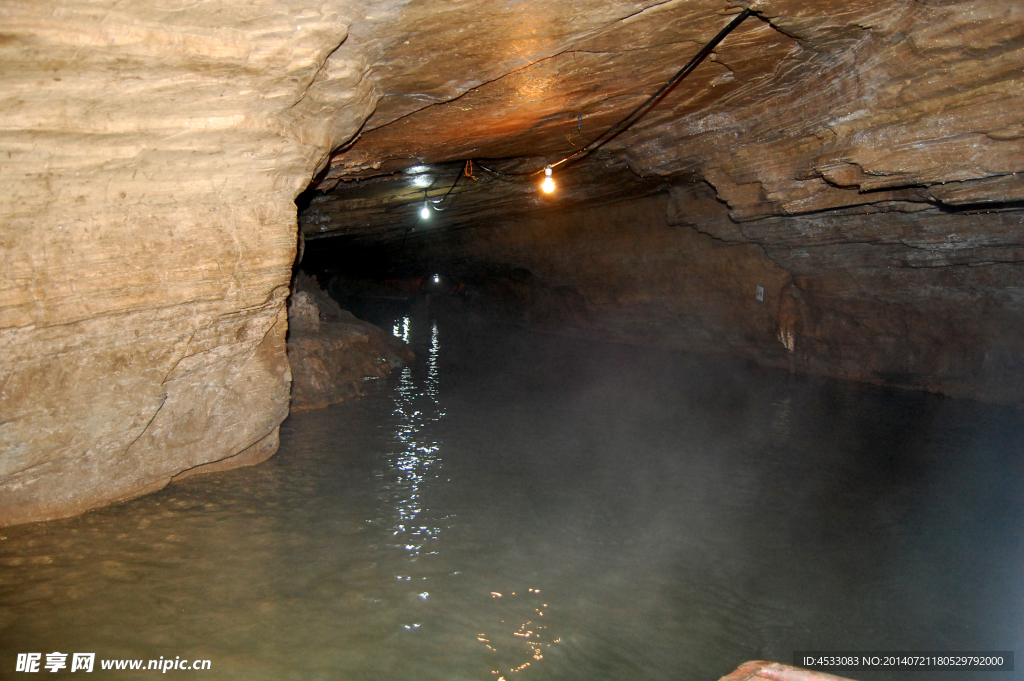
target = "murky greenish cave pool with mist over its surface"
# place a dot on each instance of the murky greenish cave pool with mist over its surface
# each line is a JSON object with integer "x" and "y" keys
{"x": 523, "y": 506}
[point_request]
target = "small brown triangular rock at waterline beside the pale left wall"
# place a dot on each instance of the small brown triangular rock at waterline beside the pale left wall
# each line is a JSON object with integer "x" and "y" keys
{"x": 332, "y": 352}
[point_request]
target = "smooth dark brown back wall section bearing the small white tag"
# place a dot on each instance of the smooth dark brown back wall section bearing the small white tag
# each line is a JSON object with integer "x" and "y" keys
{"x": 639, "y": 279}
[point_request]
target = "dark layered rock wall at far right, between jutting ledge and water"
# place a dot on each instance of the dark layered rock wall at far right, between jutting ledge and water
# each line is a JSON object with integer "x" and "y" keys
{"x": 927, "y": 300}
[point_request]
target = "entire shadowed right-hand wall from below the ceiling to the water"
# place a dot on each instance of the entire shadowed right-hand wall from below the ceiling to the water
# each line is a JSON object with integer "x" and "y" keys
{"x": 926, "y": 300}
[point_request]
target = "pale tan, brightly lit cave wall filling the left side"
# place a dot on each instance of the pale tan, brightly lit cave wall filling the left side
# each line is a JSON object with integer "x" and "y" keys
{"x": 151, "y": 157}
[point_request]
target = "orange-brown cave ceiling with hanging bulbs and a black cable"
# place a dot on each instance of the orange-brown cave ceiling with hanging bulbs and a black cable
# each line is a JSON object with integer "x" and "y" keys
{"x": 806, "y": 107}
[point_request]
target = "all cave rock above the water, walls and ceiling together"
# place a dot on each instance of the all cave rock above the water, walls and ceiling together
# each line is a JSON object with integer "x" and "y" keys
{"x": 218, "y": 215}
